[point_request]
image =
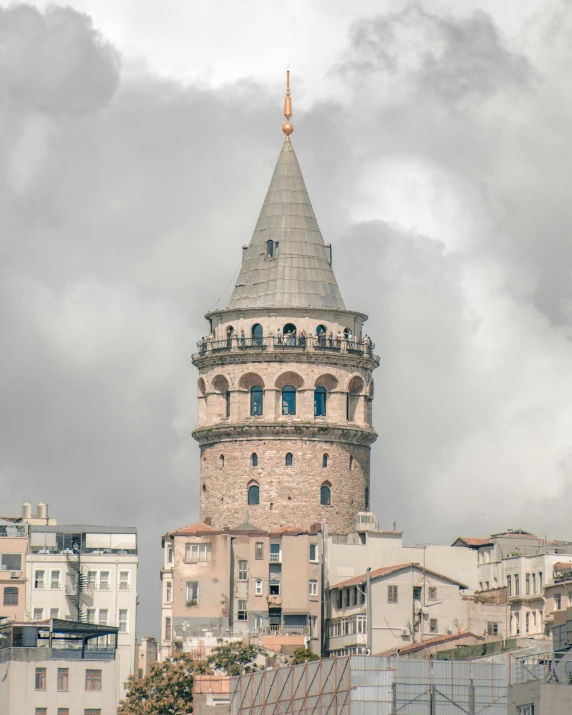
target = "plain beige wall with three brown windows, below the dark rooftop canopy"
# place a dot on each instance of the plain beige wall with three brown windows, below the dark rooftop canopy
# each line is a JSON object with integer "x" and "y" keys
{"x": 18, "y": 695}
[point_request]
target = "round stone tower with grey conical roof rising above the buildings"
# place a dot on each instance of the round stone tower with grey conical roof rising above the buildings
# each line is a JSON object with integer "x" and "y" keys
{"x": 285, "y": 385}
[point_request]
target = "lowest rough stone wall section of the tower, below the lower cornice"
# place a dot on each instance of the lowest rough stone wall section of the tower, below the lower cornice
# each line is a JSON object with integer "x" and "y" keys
{"x": 289, "y": 495}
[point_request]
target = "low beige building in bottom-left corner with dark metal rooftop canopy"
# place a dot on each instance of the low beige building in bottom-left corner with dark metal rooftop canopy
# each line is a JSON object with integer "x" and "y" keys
{"x": 58, "y": 666}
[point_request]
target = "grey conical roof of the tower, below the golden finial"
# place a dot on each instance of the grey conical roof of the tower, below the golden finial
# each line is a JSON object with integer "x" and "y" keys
{"x": 299, "y": 274}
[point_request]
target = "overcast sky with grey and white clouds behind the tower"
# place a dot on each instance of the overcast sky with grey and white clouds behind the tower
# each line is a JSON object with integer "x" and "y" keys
{"x": 137, "y": 140}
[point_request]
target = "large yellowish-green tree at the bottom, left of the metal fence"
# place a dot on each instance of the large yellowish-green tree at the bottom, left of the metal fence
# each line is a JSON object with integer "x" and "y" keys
{"x": 166, "y": 690}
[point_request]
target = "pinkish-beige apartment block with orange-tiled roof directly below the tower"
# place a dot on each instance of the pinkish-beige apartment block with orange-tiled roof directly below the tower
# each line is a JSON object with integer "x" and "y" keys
{"x": 241, "y": 582}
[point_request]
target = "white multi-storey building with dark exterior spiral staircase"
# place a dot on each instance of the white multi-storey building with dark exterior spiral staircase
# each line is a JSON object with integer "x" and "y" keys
{"x": 88, "y": 574}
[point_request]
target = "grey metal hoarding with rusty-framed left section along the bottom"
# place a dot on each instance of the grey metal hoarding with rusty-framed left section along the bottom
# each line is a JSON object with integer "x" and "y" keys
{"x": 362, "y": 685}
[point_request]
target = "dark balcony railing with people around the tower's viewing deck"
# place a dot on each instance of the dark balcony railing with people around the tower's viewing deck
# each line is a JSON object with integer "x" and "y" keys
{"x": 289, "y": 342}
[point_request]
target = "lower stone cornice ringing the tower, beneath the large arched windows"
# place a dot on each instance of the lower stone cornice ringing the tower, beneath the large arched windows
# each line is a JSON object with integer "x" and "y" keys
{"x": 323, "y": 432}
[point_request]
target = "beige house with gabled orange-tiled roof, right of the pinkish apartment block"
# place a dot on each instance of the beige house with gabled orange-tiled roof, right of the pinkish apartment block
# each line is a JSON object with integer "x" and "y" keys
{"x": 408, "y": 603}
